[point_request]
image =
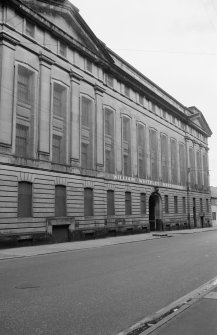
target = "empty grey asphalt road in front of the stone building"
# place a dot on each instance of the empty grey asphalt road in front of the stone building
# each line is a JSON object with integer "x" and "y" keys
{"x": 102, "y": 291}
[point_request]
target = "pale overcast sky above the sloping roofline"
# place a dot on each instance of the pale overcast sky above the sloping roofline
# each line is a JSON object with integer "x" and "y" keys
{"x": 172, "y": 42}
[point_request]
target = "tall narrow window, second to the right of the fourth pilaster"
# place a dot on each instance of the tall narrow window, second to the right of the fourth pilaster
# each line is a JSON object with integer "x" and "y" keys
{"x": 126, "y": 147}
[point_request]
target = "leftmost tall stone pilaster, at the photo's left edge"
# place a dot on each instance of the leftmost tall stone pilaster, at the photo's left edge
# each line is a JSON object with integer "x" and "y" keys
{"x": 7, "y": 59}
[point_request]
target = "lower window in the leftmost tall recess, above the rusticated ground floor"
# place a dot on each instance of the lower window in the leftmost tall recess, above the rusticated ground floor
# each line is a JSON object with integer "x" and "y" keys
{"x": 21, "y": 140}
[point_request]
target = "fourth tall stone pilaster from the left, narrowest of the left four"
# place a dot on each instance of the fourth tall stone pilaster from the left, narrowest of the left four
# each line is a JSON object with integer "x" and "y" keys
{"x": 99, "y": 129}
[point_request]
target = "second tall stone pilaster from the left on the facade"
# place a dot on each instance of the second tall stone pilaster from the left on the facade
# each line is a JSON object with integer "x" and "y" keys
{"x": 44, "y": 107}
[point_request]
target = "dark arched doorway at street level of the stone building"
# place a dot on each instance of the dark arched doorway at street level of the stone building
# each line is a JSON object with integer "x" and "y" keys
{"x": 155, "y": 212}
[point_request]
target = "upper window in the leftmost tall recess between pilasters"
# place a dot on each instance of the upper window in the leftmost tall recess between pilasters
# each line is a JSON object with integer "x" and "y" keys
{"x": 24, "y": 85}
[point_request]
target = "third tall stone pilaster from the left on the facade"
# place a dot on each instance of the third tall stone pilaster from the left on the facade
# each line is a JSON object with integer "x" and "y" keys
{"x": 75, "y": 118}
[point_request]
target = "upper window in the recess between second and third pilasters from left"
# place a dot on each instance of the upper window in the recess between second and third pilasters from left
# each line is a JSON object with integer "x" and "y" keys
{"x": 59, "y": 100}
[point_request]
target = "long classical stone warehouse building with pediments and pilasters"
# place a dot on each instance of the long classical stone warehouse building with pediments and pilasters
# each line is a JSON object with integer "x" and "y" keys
{"x": 87, "y": 141}
